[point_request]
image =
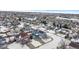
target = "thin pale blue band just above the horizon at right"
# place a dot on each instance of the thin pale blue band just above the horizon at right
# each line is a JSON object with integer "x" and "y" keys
{"x": 58, "y": 11}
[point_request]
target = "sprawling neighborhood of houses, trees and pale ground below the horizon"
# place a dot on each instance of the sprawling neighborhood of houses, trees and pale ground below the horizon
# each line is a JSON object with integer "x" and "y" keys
{"x": 38, "y": 30}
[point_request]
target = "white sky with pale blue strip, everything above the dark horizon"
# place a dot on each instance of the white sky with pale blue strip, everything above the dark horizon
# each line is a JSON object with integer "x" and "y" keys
{"x": 54, "y": 6}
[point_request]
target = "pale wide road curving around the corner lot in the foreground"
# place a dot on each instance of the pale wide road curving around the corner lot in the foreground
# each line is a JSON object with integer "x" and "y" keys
{"x": 53, "y": 44}
